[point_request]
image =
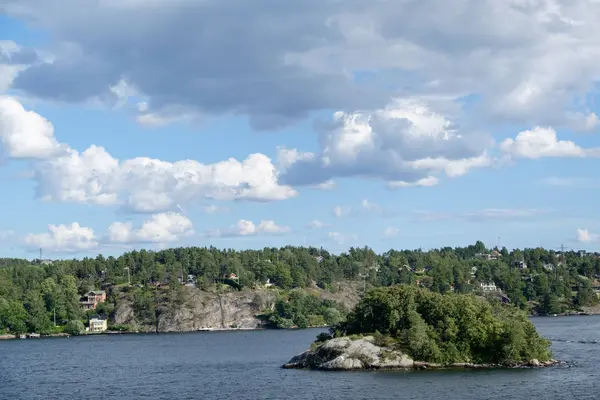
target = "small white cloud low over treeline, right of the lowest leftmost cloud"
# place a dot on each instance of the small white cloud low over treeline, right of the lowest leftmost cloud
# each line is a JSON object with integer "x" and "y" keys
{"x": 161, "y": 228}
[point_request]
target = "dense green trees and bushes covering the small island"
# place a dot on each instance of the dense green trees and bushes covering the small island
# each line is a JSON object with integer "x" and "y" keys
{"x": 450, "y": 328}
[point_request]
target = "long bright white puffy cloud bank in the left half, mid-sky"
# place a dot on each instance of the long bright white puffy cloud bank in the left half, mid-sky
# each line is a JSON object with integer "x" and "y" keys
{"x": 149, "y": 185}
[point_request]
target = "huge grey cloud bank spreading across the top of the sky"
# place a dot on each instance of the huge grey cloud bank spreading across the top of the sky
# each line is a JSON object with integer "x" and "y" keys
{"x": 530, "y": 62}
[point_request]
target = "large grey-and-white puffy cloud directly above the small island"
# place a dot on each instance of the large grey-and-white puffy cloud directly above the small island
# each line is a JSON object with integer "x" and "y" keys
{"x": 406, "y": 144}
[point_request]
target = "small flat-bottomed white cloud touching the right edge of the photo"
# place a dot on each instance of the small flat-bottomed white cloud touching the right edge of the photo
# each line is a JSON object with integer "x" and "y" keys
{"x": 543, "y": 142}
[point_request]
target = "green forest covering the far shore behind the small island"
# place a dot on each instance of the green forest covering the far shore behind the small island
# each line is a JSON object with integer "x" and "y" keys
{"x": 32, "y": 292}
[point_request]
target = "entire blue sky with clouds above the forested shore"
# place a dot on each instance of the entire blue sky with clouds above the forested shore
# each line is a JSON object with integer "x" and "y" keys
{"x": 334, "y": 123}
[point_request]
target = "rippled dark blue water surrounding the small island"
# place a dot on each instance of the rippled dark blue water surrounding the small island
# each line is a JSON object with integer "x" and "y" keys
{"x": 246, "y": 365}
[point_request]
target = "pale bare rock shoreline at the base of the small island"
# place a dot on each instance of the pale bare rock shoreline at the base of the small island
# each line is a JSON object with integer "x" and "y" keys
{"x": 347, "y": 354}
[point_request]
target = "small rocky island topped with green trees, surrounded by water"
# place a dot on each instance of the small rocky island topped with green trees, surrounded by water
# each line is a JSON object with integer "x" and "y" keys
{"x": 405, "y": 327}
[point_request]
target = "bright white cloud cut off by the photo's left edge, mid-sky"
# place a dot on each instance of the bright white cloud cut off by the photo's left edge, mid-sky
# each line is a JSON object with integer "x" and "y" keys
{"x": 25, "y": 134}
